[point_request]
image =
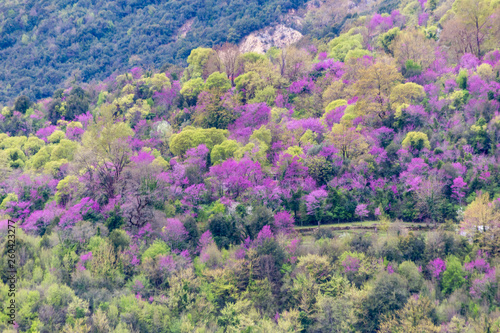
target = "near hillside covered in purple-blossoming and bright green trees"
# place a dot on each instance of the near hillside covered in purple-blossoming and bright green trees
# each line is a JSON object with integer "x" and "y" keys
{"x": 173, "y": 200}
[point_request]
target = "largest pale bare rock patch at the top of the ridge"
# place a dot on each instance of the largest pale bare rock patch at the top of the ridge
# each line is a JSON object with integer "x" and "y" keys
{"x": 262, "y": 40}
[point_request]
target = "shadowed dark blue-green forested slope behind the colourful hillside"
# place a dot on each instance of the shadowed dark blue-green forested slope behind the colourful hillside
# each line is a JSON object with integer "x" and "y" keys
{"x": 43, "y": 43}
